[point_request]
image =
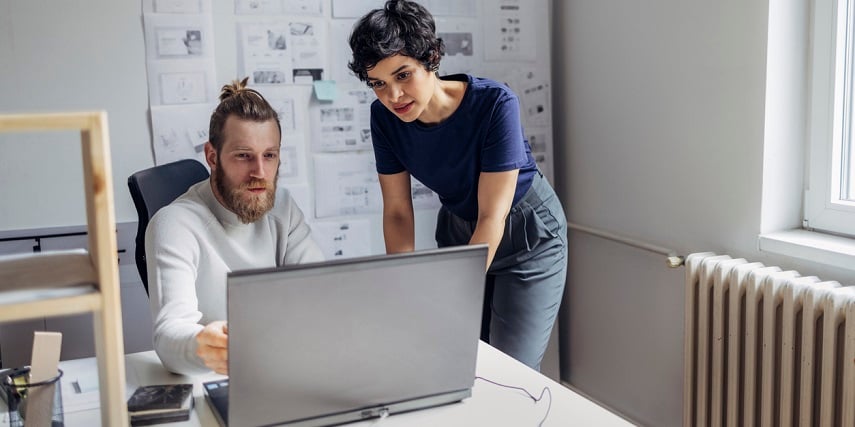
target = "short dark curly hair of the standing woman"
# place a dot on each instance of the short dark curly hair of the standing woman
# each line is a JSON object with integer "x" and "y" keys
{"x": 401, "y": 28}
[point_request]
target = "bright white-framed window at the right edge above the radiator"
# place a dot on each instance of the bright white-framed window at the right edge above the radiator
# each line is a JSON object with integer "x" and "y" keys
{"x": 830, "y": 189}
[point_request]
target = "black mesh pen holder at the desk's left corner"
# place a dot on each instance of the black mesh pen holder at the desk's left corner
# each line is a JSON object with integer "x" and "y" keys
{"x": 22, "y": 396}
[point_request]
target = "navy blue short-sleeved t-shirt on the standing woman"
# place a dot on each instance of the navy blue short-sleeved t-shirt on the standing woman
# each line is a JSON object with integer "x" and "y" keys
{"x": 484, "y": 134}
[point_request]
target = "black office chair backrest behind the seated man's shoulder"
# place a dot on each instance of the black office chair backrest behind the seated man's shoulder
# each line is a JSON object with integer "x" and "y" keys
{"x": 154, "y": 188}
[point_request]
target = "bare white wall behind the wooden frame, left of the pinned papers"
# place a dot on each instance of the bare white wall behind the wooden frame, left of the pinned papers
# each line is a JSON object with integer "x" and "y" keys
{"x": 60, "y": 56}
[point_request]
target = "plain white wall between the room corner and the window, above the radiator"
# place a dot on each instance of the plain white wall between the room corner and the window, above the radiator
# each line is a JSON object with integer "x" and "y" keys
{"x": 660, "y": 126}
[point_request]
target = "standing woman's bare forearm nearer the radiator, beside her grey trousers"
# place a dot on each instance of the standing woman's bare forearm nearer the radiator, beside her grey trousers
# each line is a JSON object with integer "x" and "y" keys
{"x": 495, "y": 196}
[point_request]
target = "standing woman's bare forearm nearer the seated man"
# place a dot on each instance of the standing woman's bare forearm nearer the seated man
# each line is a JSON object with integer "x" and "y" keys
{"x": 398, "y": 222}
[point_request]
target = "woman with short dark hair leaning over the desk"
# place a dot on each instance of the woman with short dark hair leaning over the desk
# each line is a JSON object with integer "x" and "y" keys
{"x": 462, "y": 137}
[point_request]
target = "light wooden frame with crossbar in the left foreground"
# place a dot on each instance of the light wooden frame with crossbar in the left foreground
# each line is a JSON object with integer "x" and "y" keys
{"x": 103, "y": 301}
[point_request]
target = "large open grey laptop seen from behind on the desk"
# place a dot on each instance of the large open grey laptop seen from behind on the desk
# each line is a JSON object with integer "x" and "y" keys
{"x": 340, "y": 341}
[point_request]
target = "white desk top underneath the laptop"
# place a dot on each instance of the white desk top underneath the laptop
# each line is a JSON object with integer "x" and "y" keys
{"x": 490, "y": 405}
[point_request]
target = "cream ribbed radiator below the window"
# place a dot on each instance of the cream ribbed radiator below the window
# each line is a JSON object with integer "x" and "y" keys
{"x": 766, "y": 347}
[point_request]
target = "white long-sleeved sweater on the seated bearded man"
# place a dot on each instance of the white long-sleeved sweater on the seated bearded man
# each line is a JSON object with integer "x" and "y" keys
{"x": 192, "y": 244}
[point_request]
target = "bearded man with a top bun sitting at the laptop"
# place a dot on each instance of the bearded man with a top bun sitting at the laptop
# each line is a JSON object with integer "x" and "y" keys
{"x": 236, "y": 220}
